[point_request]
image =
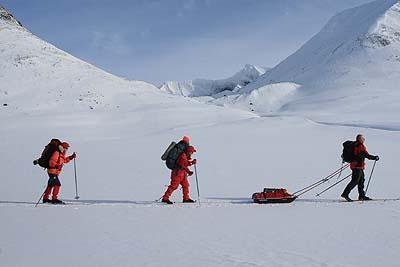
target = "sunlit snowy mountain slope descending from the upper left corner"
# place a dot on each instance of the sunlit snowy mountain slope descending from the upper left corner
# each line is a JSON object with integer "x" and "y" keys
{"x": 36, "y": 76}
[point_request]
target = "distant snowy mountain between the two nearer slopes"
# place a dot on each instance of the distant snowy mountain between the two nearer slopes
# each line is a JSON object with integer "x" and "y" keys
{"x": 202, "y": 87}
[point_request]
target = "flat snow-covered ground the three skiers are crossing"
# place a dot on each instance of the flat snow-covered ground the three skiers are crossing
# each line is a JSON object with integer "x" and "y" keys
{"x": 116, "y": 222}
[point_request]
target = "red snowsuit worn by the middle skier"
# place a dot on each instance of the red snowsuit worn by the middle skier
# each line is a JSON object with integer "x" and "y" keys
{"x": 179, "y": 177}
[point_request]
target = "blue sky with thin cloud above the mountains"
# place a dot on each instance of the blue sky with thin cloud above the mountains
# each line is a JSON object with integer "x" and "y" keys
{"x": 176, "y": 39}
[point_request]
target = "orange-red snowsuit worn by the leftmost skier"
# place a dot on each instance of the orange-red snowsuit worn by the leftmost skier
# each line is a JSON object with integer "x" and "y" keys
{"x": 56, "y": 163}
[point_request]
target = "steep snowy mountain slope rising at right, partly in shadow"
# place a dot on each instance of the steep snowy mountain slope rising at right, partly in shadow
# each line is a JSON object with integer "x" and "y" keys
{"x": 350, "y": 67}
